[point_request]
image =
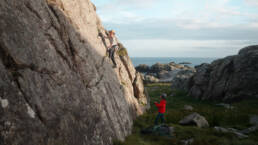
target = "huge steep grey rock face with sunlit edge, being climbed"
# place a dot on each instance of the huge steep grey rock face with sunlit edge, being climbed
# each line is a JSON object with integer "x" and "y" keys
{"x": 56, "y": 85}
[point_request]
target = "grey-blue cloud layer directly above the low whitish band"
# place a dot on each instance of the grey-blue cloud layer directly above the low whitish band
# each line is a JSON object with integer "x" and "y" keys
{"x": 176, "y": 29}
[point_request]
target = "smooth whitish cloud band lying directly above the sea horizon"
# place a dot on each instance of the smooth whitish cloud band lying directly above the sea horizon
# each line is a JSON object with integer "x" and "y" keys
{"x": 184, "y": 48}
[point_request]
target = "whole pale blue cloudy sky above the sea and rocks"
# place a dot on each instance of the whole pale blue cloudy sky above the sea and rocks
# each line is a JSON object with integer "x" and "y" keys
{"x": 181, "y": 28}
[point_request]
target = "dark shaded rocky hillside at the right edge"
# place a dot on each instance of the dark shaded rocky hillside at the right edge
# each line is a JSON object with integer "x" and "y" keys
{"x": 230, "y": 78}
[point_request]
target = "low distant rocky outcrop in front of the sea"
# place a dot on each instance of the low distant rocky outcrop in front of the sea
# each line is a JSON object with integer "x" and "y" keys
{"x": 165, "y": 72}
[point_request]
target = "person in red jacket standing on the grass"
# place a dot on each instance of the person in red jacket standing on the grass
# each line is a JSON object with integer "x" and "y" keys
{"x": 161, "y": 108}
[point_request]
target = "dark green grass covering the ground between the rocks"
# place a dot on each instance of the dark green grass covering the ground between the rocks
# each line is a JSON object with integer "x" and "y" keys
{"x": 216, "y": 116}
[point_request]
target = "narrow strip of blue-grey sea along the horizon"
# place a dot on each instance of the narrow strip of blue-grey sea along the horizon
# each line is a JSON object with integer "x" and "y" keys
{"x": 164, "y": 60}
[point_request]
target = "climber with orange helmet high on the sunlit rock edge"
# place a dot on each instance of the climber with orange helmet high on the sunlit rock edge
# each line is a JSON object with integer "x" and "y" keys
{"x": 113, "y": 47}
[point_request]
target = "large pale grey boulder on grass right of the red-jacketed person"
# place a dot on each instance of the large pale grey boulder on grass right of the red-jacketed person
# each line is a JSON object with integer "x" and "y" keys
{"x": 195, "y": 119}
